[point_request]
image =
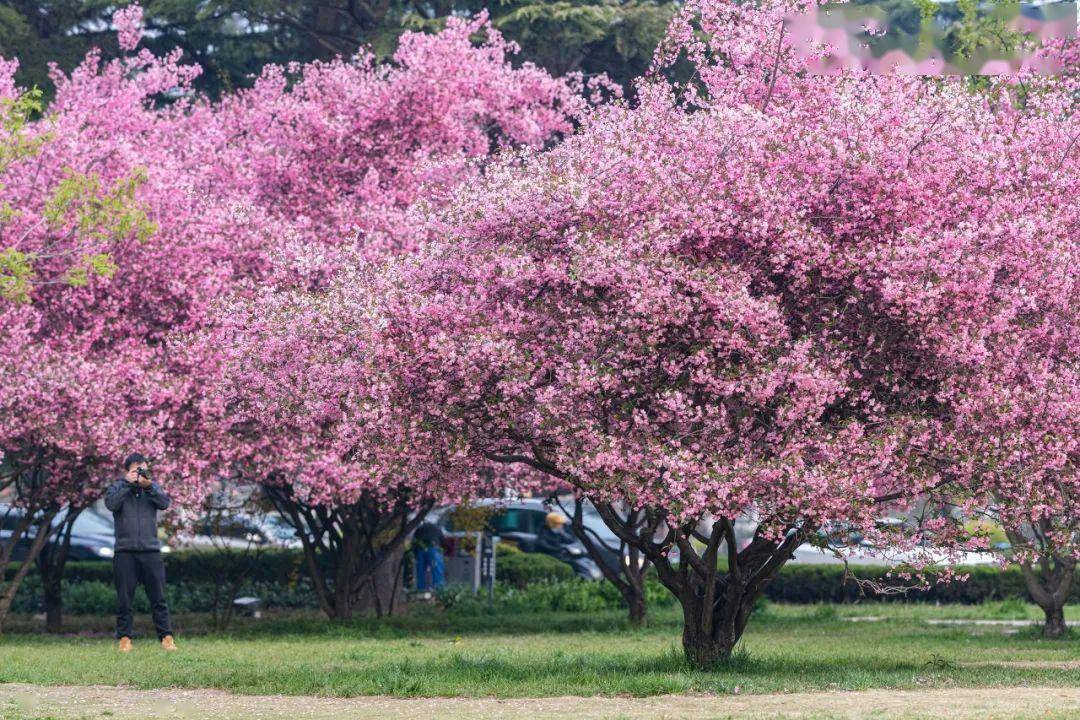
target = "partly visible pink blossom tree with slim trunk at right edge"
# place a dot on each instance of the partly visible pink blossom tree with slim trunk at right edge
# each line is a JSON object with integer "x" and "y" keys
{"x": 1018, "y": 423}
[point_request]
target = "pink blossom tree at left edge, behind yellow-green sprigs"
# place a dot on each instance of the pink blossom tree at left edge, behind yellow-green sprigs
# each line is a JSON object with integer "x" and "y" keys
{"x": 80, "y": 383}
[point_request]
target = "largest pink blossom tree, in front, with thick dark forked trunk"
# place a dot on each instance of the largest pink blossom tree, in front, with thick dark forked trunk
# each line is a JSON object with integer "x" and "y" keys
{"x": 760, "y": 292}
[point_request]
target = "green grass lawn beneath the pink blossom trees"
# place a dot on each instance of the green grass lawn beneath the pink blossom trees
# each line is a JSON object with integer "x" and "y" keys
{"x": 787, "y": 649}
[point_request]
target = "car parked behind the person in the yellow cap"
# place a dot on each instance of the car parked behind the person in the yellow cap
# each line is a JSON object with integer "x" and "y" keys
{"x": 519, "y": 522}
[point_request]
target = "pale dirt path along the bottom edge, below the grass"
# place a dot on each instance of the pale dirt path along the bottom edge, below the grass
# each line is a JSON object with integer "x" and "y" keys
{"x": 97, "y": 702}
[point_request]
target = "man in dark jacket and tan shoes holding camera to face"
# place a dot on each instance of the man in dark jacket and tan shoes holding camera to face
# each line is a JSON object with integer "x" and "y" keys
{"x": 134, "y": 501}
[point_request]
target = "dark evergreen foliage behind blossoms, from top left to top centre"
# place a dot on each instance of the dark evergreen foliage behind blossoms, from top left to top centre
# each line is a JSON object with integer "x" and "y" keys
{"x": 234, "y": 39}
